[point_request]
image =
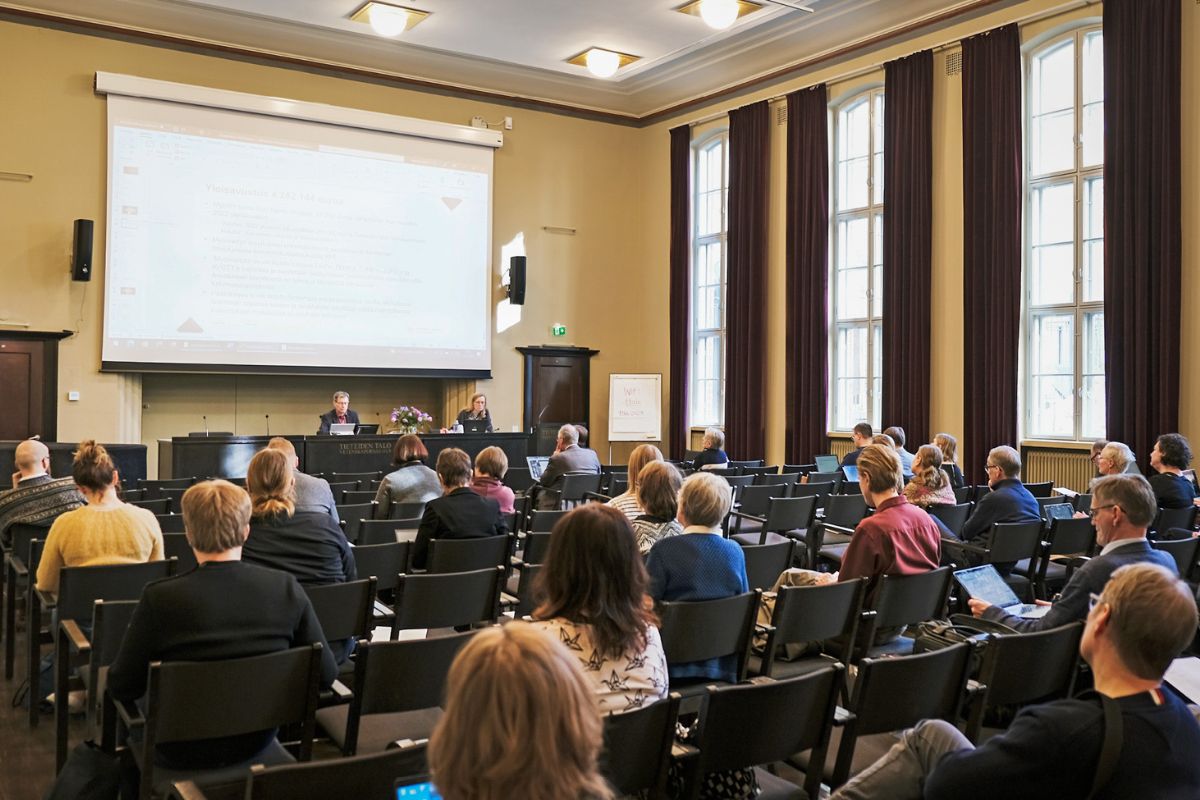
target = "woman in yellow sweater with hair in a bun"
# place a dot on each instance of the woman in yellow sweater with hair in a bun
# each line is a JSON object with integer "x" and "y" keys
{"x": 104, "y": 532}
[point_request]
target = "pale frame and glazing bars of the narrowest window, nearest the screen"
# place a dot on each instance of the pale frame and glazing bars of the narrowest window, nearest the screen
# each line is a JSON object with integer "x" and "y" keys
{"x": 700, "y": 148}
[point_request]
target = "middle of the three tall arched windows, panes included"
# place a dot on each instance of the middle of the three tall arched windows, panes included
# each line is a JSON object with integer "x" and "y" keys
{"x": 857, "y": 285}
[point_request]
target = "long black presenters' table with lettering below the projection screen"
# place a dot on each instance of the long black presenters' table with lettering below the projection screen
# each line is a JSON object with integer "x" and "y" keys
{"x": 230, "y": 456}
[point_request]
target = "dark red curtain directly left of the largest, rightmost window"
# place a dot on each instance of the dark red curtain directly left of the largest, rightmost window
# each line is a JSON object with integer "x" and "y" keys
{"x": 992, "y": 243}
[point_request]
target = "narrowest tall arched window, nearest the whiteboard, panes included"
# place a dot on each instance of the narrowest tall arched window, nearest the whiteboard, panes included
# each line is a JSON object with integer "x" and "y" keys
{"x": 711, "y": 184}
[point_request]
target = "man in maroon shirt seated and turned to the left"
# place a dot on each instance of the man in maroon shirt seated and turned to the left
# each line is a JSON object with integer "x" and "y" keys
{"x": 898, "y": 539}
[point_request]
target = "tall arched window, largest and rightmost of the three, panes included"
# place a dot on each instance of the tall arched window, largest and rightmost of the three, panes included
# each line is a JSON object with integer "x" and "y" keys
{"x": 1065, "y": 239}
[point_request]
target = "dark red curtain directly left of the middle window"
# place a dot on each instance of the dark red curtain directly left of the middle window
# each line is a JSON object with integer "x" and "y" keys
{"x": 808, "y": 263}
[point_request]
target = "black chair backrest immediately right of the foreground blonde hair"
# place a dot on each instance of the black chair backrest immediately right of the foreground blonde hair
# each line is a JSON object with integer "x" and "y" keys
{"x": 637, "y": 753}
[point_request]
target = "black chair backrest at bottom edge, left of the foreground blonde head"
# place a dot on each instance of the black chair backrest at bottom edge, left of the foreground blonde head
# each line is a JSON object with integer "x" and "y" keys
{"x": 359, "y": 777}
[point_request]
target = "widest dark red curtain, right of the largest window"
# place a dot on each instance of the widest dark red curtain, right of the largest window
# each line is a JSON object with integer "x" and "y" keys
{"x": 1142, "y": 221}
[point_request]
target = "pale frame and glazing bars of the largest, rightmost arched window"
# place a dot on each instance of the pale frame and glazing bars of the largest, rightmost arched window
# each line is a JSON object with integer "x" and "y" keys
{"x": 1079, "y": 309}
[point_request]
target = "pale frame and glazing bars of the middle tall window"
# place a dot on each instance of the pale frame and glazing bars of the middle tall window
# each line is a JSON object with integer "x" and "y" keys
{"x": 873, "y": 213}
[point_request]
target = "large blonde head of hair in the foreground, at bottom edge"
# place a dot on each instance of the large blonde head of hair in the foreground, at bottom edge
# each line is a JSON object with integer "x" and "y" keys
{"x": 520, "y": 721}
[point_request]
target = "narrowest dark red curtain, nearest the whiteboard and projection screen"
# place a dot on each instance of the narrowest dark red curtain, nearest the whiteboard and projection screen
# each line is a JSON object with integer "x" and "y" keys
{"x": 680, "y": 288}
